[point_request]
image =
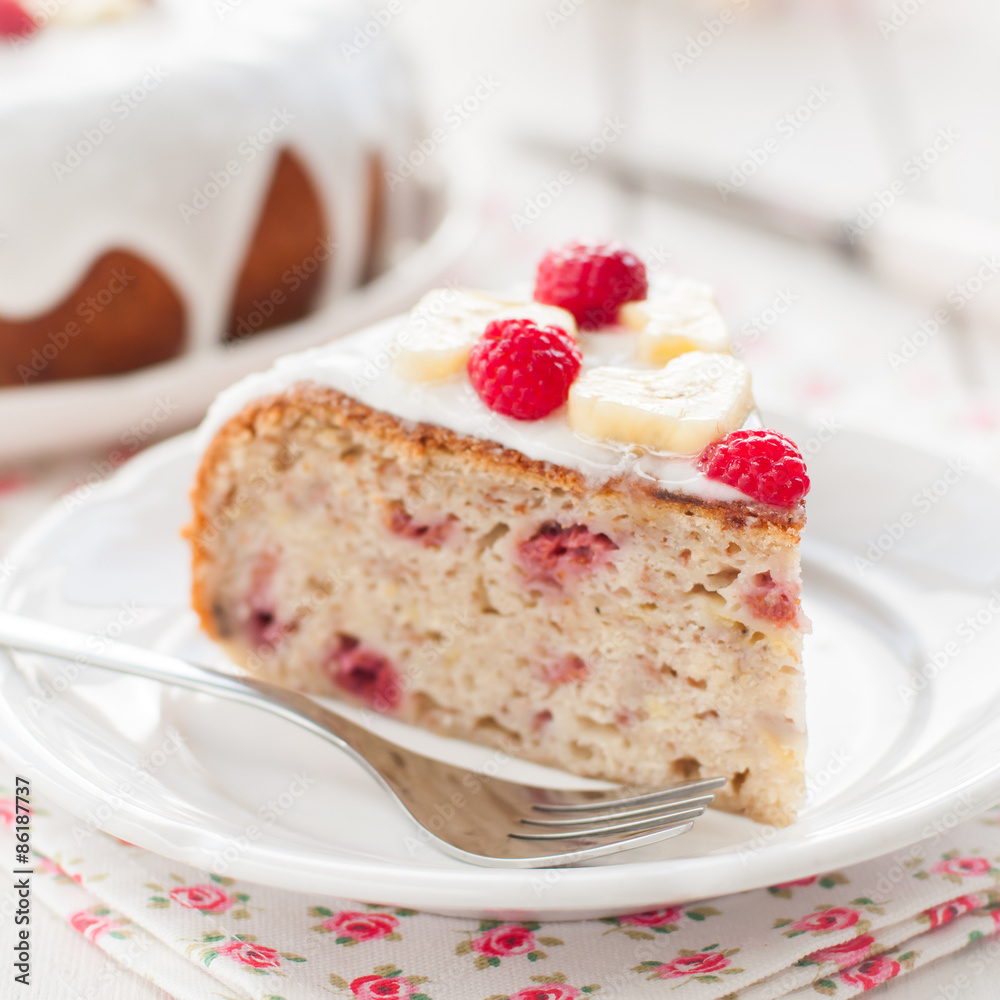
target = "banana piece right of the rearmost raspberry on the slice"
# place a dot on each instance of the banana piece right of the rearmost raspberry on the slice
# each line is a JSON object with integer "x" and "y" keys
{"x": 686, "y": 319}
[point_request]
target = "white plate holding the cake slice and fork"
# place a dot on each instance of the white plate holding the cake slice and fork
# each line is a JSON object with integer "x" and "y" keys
{"x": 894, "y": 753}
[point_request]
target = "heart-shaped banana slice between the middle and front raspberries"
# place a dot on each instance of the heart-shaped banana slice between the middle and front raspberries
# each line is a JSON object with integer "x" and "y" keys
{"x": 696, "y": 399}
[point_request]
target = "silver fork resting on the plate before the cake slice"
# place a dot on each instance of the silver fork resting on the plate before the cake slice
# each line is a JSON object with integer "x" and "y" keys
{"x": 480, "y": 819}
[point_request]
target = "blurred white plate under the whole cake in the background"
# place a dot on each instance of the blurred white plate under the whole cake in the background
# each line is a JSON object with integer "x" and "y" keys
{"x": 60, "y": 417}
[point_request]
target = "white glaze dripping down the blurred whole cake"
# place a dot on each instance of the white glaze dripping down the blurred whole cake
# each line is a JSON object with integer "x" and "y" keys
{"x": 180, "y": 89}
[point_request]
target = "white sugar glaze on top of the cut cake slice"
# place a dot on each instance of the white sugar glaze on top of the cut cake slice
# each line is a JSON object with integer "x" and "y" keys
{"x": 360, "y": 365}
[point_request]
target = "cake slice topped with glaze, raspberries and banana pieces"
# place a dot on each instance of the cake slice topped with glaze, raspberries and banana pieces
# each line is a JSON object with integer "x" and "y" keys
{"x": 528, "y": 524}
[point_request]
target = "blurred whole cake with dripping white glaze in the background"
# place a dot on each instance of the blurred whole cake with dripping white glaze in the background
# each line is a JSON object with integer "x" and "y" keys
{"x": 181, "y": 173}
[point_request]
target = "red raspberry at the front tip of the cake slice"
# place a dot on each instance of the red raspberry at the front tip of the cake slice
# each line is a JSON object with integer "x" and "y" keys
{"x": 761, "y": 463}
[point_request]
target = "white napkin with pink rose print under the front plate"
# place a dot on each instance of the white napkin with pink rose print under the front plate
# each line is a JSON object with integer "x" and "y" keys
{"x": 174, "y": 932}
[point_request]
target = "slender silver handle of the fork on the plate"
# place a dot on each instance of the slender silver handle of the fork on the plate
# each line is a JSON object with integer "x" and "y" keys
{"x": 28, "y": 634}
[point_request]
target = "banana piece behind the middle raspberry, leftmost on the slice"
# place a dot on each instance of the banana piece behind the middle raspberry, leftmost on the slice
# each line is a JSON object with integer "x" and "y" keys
{"x": 443, "y": 326}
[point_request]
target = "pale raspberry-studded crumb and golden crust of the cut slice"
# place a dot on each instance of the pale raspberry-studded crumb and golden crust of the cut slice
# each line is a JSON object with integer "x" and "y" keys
{"x": 616, "y": 631}
